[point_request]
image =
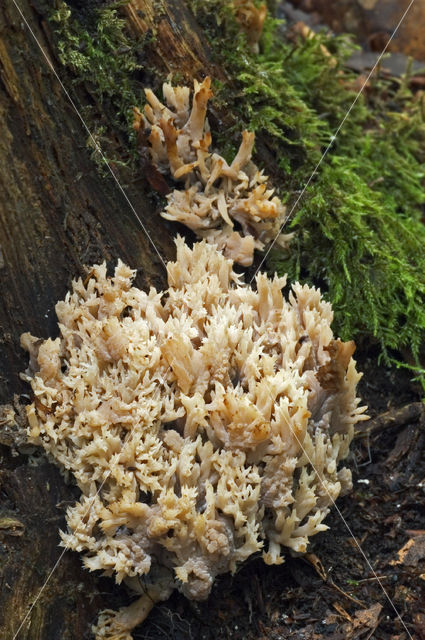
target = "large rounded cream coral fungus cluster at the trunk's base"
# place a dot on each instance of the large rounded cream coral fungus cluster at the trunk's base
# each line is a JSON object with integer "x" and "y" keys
{"x": 202, "y": 425}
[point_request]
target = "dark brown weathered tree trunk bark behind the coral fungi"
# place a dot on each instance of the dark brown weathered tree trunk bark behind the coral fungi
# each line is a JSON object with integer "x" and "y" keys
{"x": 57, "y": 214}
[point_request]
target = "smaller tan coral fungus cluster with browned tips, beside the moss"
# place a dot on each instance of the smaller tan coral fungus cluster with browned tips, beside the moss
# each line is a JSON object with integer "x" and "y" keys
{"x": 217, "y": 197}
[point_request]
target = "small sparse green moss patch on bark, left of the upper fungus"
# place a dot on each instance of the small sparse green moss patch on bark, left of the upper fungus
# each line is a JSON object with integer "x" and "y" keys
{"x": 104, "y": 60}
